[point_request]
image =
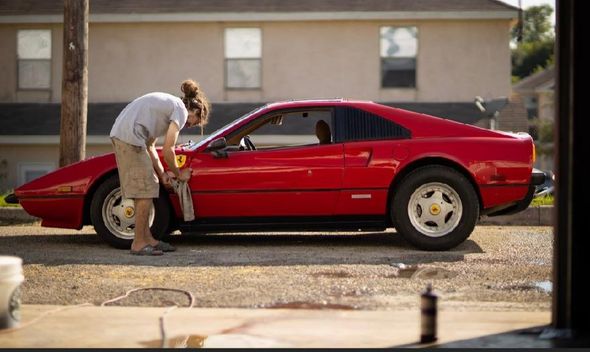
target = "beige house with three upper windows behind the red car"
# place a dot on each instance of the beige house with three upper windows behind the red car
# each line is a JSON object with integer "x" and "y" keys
{"x": 424, "y": 55}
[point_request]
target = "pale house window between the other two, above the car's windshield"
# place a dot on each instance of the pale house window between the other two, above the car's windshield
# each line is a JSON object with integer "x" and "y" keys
{"x": 243, "y": 51}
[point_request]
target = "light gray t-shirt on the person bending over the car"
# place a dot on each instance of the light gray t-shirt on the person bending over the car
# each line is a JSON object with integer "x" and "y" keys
{"x": 148, "y": 117}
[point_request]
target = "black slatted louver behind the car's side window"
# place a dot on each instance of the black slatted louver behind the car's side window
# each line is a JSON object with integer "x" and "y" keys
{"x": 355, "y": 125}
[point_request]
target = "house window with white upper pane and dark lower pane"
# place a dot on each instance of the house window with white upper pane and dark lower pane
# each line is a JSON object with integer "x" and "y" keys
{"x": 399, "y": 46}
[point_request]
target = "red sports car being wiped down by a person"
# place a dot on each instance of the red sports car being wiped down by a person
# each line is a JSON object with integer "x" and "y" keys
{"x": 365, "y": 166}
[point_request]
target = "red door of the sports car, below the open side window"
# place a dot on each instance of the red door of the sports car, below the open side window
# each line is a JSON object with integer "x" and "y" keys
{"x": 300, "y": 180}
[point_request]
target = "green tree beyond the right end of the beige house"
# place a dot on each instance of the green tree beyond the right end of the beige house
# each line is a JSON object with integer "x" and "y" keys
{"x": 536, "y": 50}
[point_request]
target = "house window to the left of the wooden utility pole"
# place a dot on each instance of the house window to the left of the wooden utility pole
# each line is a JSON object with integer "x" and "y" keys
{"x": 34, "y": 59}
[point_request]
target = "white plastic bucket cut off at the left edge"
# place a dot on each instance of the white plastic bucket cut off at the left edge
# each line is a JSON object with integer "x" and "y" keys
{"x": 11, "y": 277}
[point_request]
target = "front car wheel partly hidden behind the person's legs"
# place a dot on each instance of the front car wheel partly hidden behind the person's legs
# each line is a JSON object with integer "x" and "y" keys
{"x": 108, "y": 214}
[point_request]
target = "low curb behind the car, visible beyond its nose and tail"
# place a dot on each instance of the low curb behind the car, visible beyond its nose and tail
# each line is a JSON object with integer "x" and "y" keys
{"x": 532, "y": 216}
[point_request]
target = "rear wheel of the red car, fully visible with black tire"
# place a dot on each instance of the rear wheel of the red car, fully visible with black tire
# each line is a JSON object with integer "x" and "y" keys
{"x": 435, "y": 208}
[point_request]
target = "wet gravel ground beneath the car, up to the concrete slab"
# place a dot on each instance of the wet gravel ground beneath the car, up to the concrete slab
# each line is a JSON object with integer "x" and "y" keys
{"x": 497, "y": 268}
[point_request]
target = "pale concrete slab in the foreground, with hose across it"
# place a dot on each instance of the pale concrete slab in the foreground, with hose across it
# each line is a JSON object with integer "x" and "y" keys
{"x": 92, "y": 326}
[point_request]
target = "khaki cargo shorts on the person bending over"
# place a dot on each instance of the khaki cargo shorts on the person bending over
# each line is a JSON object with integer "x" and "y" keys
{"x": 136, "y": 172}
